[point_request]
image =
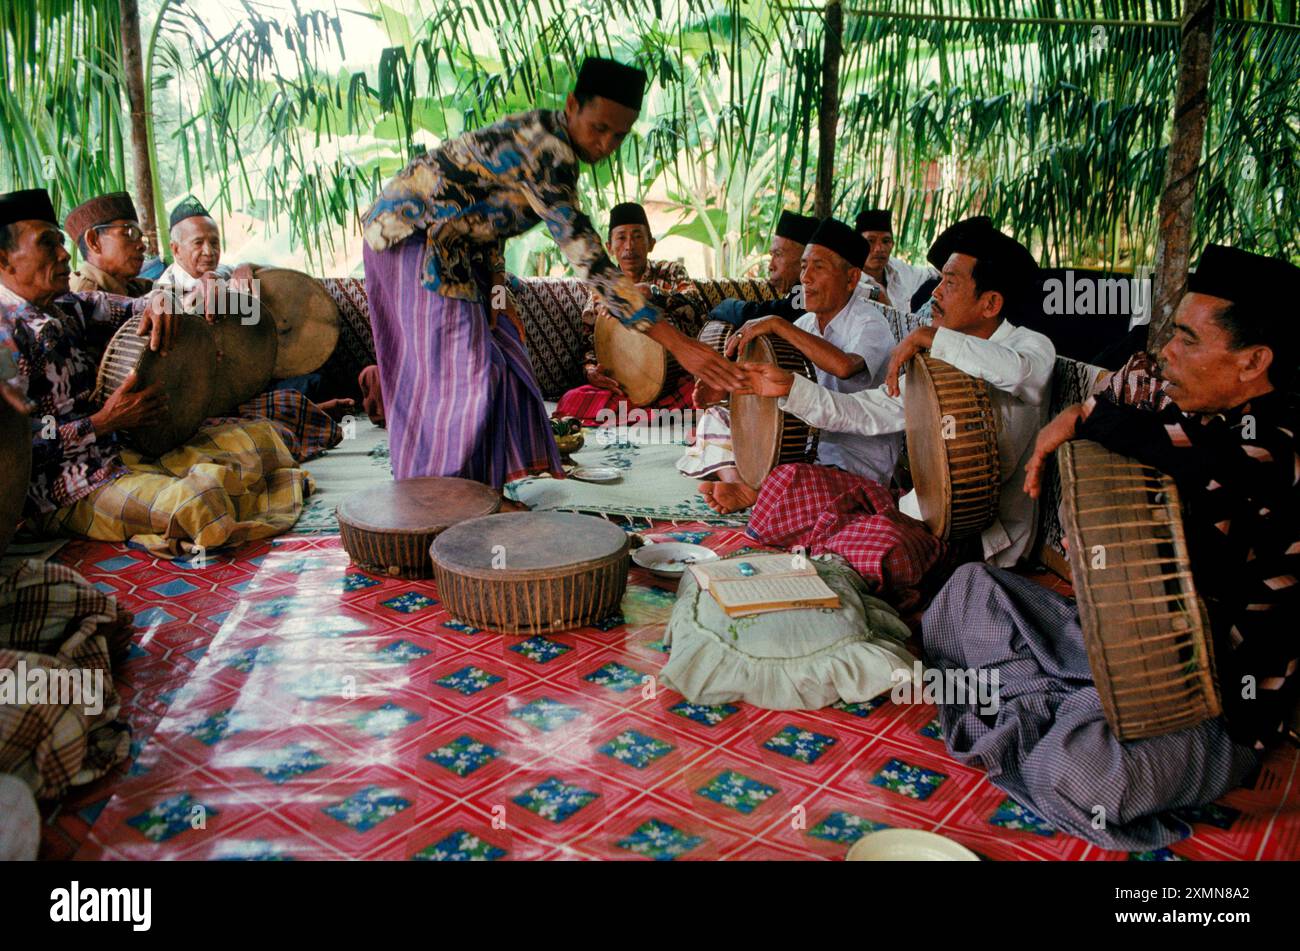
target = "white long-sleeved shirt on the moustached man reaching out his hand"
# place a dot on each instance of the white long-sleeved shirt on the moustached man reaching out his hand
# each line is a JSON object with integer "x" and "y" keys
{"x": 1017, "y": 364}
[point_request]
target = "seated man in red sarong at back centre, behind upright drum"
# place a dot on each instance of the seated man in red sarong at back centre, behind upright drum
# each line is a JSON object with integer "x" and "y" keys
{"x": 631, "y": 245}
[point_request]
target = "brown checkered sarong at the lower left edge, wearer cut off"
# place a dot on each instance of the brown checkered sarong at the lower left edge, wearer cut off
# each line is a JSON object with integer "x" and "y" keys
{"x": 53, "y": 620}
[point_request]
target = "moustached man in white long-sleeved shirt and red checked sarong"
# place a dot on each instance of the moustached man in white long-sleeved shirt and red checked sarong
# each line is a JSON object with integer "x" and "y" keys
{"x": 985, "y": 275}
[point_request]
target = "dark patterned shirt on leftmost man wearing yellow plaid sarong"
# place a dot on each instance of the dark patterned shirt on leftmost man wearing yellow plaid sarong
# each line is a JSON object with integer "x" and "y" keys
{"x": 53, "y": 357}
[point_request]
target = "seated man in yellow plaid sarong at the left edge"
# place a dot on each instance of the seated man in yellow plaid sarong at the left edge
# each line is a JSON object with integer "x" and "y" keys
{"x": 233, "y": 483}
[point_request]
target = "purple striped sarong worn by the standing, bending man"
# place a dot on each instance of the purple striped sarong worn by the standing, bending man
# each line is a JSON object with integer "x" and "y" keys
{"x": 461, "y": 398}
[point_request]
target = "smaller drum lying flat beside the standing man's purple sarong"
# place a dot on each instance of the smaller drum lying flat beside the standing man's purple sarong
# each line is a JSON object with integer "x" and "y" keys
{"x": 389, "y": 529}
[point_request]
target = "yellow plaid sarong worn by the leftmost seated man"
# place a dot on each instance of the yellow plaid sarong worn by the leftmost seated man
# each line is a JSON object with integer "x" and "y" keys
{"x": 233, "y": 483}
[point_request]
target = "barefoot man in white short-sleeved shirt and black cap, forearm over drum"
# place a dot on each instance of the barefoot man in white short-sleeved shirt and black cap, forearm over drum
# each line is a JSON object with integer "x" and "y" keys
{"x": 848, "y": 341}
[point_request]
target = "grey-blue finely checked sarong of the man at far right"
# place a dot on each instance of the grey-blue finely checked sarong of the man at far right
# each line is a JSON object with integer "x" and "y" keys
{"x": 1047, "y": 741}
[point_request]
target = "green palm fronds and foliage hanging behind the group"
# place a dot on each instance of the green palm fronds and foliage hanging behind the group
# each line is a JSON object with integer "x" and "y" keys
{"x": 1058, "y": 131}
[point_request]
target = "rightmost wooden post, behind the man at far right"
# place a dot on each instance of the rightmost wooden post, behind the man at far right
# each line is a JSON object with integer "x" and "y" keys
{"x": 1178, "y": 203}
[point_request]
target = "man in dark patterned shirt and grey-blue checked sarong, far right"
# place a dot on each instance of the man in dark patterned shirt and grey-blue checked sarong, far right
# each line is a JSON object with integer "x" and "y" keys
{"x": 1221, "y": 423}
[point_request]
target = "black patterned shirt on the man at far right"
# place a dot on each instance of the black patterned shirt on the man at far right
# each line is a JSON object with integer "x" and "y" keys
{"x": 1238, "y": 475}
